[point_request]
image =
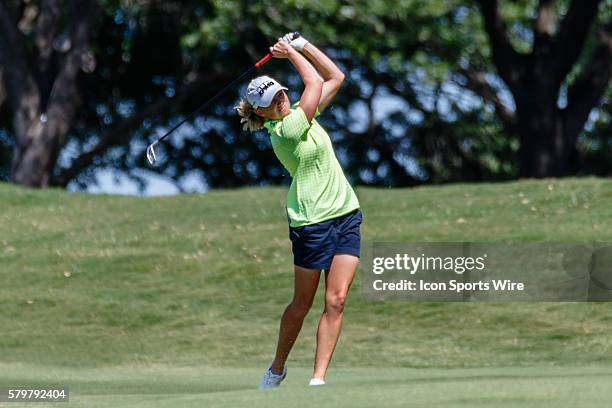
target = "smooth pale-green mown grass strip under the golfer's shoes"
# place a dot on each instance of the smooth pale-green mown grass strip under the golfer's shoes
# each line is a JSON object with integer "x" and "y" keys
{"x": 171, "y": 387}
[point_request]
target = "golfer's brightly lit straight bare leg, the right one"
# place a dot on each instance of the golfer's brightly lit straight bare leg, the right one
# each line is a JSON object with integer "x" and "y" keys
{"x": 338, "y": 281}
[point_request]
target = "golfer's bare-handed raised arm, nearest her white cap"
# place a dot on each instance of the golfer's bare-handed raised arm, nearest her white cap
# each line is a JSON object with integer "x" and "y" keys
{"x": 313, "y": 84}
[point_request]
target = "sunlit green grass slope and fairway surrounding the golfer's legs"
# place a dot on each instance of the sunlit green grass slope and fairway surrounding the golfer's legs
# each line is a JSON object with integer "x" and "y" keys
{"x": 176, "y": 301}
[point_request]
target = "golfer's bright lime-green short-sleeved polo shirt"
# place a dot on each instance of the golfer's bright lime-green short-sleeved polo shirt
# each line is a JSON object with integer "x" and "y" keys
{"x": 319, "y": 190}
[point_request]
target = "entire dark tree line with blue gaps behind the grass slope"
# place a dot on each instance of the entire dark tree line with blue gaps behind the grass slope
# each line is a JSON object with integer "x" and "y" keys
{"x": 482, "y": 90}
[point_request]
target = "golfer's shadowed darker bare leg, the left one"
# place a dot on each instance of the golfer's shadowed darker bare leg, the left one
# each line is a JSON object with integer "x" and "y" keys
{"x": 305, "y": 288}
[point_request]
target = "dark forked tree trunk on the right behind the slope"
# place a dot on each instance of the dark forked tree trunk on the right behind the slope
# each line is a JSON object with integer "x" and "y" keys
{"x": 549, "y": 132}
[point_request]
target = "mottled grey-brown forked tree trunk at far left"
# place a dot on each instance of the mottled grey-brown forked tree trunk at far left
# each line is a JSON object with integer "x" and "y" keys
{"x": 41, "y": 91}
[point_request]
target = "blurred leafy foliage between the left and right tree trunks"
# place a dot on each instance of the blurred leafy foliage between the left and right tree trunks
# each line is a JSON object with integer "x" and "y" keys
{"x": 411, "y": 53}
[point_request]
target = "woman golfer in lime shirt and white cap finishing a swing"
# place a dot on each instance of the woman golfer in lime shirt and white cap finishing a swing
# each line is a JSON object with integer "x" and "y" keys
{"x": 322, "y": 208}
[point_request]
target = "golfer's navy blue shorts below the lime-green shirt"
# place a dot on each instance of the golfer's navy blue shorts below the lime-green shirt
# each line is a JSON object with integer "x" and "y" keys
{"x": 315, "y": 245}
